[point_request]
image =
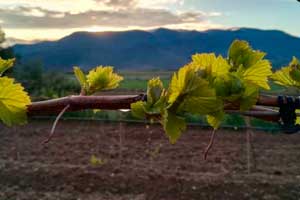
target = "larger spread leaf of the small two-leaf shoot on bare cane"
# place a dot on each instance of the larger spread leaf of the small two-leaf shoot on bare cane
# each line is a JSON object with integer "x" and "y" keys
{"x": 102, "y": 78}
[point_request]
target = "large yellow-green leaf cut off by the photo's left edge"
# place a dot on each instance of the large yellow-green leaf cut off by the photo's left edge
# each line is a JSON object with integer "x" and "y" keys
{"x": 13, "y": 102}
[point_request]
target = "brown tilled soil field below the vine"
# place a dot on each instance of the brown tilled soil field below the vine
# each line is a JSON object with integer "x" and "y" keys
{"x": 139, "y": 163}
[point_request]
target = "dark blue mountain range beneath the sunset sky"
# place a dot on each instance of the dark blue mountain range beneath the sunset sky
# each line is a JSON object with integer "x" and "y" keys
{"x": 157, "y": 49}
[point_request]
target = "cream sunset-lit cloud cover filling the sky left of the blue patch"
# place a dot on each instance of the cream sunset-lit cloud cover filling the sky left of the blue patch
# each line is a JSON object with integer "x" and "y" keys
{"x": 32, "y": 19}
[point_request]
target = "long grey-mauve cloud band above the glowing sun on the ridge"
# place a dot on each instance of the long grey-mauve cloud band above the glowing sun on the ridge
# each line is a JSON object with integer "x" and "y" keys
{"x": 35, "y": 17}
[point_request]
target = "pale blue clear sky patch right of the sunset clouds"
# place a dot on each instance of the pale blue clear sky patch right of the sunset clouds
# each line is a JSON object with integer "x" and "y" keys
{"x": 265, "y": 14}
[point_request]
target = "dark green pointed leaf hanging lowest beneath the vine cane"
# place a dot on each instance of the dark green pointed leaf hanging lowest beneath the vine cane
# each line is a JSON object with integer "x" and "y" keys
{"x": 173, "y": 126}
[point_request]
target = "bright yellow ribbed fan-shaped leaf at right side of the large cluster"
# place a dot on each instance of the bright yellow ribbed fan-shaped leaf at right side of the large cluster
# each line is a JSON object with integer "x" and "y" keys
{"x": 257, "y": 74}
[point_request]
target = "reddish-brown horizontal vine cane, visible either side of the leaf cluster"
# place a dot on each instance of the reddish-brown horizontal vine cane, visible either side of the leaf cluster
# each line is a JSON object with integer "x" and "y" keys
{"x": 116, "y": 102}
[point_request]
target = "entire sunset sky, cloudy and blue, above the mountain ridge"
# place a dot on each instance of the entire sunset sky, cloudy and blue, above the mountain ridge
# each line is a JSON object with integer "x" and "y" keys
{"x": 54, "y": 19}
